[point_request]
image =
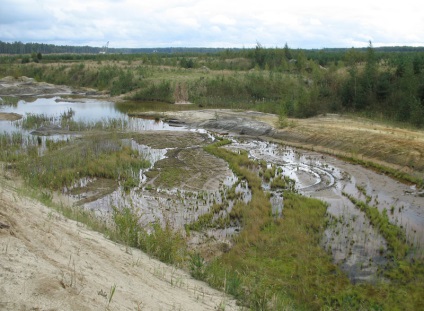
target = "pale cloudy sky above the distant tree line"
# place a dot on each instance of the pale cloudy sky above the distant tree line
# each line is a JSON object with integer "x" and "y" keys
{"x": 215, "y": 23}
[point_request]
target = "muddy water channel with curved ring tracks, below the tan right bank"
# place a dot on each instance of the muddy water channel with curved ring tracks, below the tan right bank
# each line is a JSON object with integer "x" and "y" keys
{"x": 354, "y": 243}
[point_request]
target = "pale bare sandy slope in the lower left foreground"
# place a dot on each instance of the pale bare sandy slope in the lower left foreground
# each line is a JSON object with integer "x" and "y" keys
{"x": 48, "y": 262}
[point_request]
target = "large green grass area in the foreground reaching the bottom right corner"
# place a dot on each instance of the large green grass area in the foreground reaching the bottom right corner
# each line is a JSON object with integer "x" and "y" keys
{"x": 279, "y": 263}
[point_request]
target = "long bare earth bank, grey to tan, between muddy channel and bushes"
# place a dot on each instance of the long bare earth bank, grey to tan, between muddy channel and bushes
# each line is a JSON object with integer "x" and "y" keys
{"x": 402, "y": 149}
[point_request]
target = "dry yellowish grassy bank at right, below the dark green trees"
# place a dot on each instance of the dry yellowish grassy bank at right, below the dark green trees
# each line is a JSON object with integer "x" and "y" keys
{"x": 400, "y": 149}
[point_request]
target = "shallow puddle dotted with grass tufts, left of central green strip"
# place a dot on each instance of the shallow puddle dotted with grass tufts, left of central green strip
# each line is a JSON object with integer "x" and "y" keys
{"x": 173, "y": 206}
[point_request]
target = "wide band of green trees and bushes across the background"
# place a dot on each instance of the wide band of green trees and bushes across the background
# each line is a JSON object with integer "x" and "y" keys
{"x": 384, "y": 82}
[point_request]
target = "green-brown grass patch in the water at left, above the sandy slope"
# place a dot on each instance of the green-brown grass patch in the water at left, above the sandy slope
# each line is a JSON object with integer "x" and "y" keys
{"x": 102, "y": 156}
